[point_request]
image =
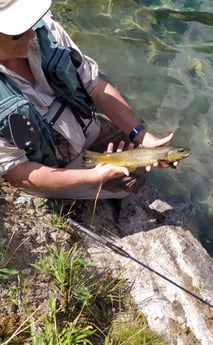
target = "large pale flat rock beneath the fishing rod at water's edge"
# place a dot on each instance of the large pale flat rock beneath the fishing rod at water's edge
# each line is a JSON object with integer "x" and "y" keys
{"x": 154, "y": 234}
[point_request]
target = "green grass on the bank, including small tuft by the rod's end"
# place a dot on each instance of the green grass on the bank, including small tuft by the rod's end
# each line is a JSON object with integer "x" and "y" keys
{"x": 88, "y": 303}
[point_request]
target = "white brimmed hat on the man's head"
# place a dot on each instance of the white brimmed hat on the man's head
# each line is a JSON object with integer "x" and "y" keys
{"x": 18, "y": 16}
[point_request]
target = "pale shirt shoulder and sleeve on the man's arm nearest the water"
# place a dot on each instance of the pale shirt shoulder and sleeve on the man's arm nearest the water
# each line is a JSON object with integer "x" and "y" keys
{"x": 88, "y": 69}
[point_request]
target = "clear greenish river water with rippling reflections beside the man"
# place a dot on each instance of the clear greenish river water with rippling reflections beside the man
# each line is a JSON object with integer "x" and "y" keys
{"x": 159, "y": 53}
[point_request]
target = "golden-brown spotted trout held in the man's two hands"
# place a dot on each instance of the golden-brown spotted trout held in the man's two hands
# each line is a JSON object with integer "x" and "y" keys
{"x": 138, "y": 157}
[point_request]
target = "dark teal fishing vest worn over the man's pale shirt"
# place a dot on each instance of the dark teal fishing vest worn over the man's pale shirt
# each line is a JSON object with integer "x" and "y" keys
{"x": 60, "y": 68}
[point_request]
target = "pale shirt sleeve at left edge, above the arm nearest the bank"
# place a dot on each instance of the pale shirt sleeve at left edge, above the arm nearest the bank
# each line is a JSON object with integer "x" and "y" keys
{"x": 10, "y": 156}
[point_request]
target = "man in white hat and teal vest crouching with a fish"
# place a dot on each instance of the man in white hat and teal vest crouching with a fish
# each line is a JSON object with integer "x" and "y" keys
{"x": 22, "y": 71}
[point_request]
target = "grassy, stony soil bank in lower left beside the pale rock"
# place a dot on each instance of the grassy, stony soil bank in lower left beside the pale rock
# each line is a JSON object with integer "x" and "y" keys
{"x": 51, "y": 294}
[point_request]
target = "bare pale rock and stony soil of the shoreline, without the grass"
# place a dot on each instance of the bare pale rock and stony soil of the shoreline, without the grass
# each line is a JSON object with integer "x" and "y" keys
{"x": 150, "y": 229}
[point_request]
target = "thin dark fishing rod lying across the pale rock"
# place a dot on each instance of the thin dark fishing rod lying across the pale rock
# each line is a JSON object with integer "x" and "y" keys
{"x": 124, "y": 253}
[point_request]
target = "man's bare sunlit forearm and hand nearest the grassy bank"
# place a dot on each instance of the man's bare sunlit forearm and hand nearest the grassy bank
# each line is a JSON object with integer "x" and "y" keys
{"x": 35, "y": 176}
